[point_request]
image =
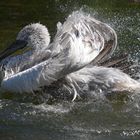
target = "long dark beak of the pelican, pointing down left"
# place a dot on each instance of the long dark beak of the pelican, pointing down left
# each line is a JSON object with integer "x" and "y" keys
{"x": 15, "y": 46}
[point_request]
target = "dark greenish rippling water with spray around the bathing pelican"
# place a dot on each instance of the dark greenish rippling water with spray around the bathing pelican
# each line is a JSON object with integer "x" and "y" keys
{"x": 98, "y": 118}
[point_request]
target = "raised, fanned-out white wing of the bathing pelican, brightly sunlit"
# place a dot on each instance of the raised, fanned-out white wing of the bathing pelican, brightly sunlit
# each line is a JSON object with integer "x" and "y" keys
{"x": 85, "y": 38}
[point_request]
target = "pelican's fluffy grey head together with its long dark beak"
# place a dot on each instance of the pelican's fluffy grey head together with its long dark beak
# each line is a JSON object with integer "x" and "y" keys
{"x": 34, "y": 36}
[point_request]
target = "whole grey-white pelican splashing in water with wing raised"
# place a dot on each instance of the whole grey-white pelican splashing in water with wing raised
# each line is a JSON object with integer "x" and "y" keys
{"x": 68, "y": 63}
